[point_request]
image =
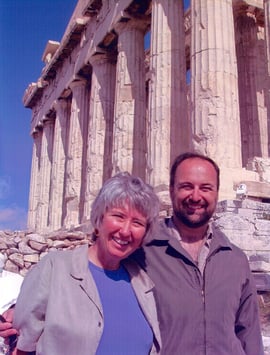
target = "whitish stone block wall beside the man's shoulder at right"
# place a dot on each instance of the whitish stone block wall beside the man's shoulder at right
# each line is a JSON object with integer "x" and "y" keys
{"x": 247, "y": 224}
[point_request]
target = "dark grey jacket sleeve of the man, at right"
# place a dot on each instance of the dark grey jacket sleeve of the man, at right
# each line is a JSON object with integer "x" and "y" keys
{"x": 247, "y": 324}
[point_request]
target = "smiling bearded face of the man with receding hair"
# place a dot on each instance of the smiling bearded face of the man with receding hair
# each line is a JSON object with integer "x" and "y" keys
{"x": 194, "y": 194}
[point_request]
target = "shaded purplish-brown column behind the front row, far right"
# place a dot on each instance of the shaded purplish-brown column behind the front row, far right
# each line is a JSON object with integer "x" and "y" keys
{"x": 252, "y": 72}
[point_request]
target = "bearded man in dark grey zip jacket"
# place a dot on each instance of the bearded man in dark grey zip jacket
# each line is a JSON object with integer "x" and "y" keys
{"x": 206, "y": 299}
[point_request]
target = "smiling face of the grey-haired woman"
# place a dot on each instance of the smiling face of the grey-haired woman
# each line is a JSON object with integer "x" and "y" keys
{"x": 121, "y": 232}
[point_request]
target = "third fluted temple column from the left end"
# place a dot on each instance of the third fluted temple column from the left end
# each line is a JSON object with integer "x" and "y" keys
{"x": 62, "y": 108}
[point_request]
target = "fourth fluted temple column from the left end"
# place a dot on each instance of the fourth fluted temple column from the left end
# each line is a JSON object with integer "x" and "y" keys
{"x": 76, "y": 153}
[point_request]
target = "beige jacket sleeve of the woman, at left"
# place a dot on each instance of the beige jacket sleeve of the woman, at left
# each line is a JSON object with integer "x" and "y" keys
{"x": 30, "y": 309}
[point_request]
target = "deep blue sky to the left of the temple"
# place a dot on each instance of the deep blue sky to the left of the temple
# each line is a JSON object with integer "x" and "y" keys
{"x": 25, "y": 28}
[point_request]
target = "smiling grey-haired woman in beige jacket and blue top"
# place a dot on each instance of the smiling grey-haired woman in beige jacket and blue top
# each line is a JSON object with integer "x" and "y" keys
{"x": 94, "y": 300}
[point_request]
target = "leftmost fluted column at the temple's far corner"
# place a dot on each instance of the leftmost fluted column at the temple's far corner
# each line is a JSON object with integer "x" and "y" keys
{"x": 35, "y": 180}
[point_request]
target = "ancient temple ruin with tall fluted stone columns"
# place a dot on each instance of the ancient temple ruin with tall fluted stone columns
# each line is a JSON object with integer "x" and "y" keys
{"x": 135, "y": 82}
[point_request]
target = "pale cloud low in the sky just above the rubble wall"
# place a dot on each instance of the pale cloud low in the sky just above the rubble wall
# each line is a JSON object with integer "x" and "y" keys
{"x": 13, "y": 218}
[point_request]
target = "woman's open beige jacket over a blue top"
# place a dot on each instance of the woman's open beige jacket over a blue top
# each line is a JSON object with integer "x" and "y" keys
{"x": 59, "y": 310}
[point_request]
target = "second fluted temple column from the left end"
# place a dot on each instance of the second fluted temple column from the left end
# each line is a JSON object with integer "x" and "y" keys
{"x": 45, "y": 175}
